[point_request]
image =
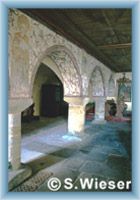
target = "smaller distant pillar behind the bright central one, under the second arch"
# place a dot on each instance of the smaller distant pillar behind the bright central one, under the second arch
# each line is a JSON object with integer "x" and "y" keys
{"x": 99, "y": 108}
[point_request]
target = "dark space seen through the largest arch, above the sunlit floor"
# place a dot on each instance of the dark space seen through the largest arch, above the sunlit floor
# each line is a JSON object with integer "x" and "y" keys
{"x": 48, "y": 105}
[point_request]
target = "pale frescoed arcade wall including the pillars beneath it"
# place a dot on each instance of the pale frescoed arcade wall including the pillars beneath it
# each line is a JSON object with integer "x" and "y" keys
{"x": 30, "y": 44}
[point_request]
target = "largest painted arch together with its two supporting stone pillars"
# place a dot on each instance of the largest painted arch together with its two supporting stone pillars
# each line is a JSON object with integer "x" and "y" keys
{"x": 67, "y": 68}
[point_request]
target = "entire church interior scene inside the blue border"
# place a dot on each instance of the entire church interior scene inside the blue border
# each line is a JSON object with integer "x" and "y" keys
{"x": 70, "y": 97}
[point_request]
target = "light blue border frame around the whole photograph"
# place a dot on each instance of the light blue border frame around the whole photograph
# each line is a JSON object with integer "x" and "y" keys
{"x": 4, "y": 6}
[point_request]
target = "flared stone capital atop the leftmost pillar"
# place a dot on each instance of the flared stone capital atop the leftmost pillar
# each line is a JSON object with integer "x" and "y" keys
{"x": 17, "y": 105}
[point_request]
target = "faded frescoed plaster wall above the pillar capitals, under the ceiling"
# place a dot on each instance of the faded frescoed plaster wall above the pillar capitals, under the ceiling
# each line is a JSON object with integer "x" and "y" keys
{"x": 31, "y": 42}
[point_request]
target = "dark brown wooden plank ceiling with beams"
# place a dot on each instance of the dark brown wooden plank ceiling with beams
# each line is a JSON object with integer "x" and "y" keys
{"x": 103, "y": 33}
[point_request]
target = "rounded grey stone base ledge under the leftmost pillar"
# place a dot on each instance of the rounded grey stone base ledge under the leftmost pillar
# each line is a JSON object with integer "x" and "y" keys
{"x": 16, "y": 177}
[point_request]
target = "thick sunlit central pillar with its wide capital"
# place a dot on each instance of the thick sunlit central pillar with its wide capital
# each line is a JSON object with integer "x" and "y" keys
{"x": 76, "y": 114}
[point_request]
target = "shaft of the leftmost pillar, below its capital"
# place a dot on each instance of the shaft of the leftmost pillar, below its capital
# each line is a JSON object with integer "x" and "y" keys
{"x": 14, "y": 143}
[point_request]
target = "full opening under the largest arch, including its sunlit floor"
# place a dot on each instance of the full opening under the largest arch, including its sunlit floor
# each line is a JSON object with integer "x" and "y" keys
{"x": 46, "y": 116}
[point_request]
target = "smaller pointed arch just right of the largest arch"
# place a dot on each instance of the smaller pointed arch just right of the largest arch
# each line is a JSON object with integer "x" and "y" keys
{"x": 96, "y": 83}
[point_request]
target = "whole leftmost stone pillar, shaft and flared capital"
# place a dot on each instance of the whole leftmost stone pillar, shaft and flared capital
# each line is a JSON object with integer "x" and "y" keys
{"x": 16, "y": 106}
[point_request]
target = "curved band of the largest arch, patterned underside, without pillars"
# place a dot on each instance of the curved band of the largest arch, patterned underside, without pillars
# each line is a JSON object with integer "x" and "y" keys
{"x": 67, "y": 66}
